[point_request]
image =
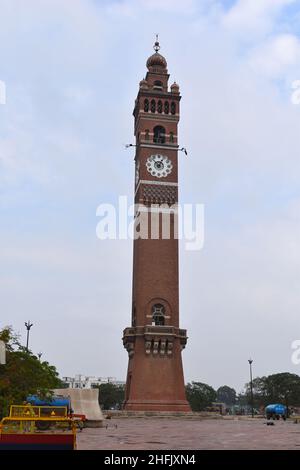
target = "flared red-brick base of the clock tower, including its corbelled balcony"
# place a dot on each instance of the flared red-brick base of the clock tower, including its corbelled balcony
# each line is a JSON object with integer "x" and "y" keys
{"x": 155, "y": 376}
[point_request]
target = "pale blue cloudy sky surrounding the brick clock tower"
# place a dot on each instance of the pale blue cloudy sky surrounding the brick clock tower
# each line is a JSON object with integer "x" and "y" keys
{"x": 72, "y": 70}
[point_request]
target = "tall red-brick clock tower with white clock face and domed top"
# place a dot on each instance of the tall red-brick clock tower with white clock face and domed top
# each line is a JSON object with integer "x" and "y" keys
{"x": 154, "y": 341}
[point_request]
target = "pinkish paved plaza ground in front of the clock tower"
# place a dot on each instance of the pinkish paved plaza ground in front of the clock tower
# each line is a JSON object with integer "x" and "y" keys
{"x": 185, "y": 434}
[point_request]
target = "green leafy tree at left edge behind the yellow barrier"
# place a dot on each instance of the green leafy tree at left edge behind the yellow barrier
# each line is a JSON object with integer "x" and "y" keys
{"x": 23, "y": 374}
